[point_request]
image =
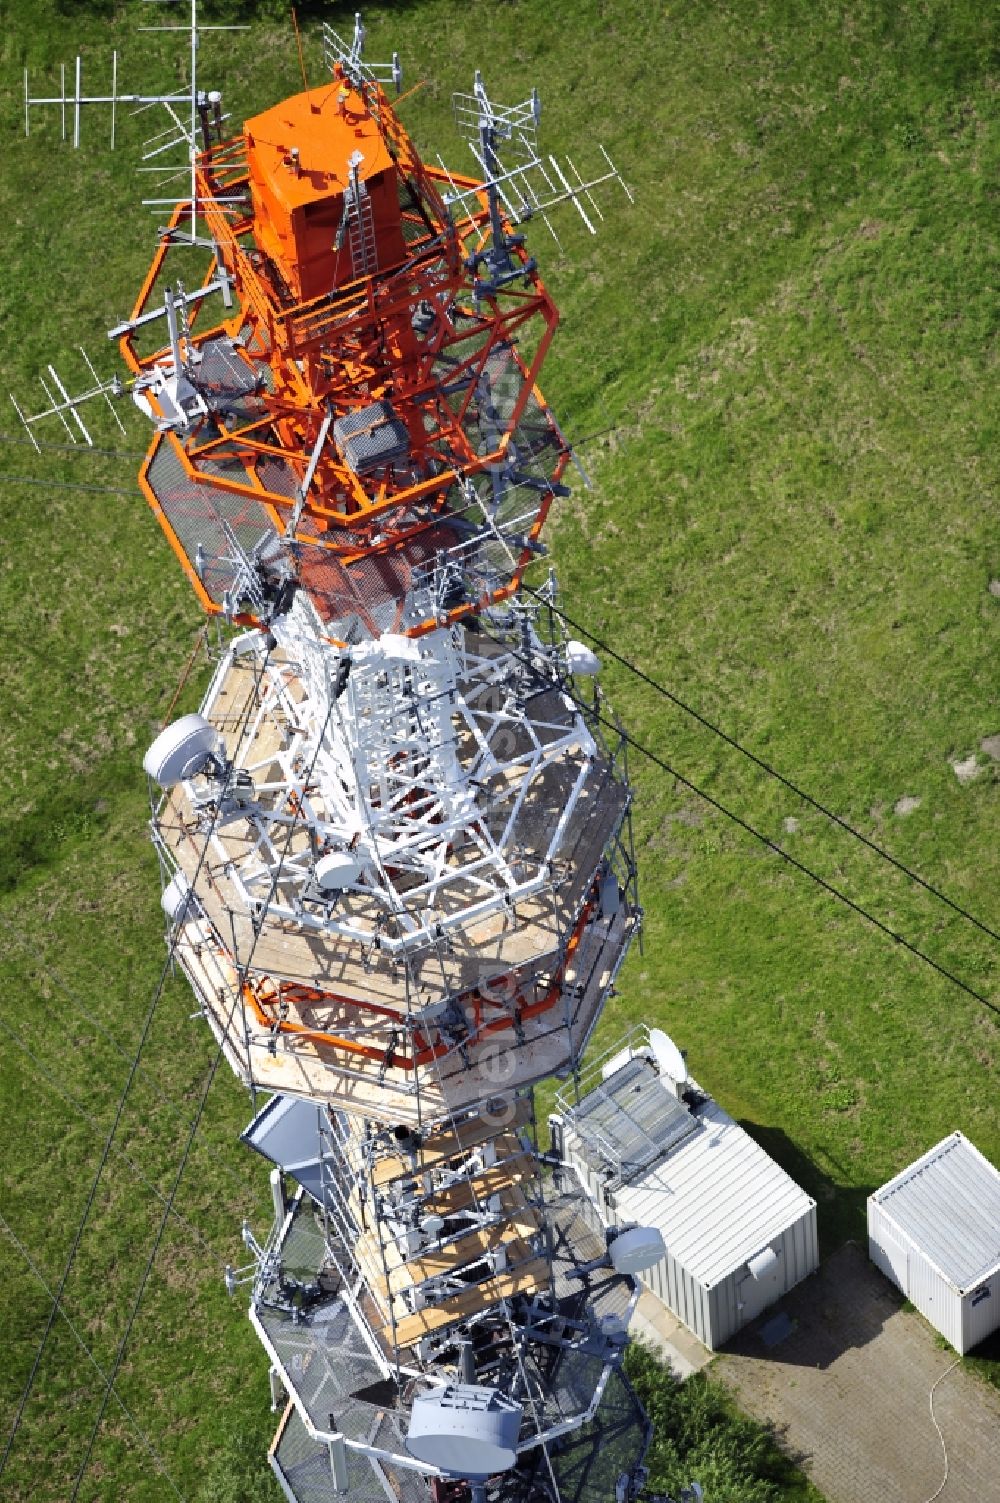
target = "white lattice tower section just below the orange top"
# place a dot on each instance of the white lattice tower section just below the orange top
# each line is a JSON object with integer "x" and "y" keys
{"x": 402, "y": 763}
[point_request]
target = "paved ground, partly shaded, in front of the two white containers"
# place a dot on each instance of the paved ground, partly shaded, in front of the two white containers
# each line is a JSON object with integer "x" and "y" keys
{"x": 847, "y": 1393}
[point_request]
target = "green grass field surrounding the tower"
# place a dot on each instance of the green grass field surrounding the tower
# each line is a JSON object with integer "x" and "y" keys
{"x": 789, "y": 351}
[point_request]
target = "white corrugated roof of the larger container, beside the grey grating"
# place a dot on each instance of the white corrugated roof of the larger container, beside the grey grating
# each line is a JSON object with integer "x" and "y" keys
{"x": 718, "y": 1199}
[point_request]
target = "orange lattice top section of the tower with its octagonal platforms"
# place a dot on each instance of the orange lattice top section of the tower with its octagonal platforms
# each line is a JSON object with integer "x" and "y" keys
{"x": 374, "y": 399}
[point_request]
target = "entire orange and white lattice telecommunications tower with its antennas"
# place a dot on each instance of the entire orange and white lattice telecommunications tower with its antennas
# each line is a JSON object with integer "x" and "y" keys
{"x": 416, "y": 883}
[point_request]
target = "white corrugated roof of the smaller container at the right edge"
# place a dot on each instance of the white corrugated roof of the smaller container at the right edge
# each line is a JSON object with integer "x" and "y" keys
{"x": 948, "y": 1205}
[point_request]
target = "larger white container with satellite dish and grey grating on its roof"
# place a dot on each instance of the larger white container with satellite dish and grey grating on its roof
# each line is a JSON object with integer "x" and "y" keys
{"x": 656, "y": 1151}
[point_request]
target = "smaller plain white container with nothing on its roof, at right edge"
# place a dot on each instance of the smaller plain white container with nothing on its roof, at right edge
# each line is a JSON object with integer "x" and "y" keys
{"x": 936, "y": 1233}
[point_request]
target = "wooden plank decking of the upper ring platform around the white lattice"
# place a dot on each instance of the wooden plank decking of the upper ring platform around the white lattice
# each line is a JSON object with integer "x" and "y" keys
{"x": 500, "y": 943}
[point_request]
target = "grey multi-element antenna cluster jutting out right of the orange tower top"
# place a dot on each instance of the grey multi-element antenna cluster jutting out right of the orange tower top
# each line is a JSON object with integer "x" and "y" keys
{"x": 505, "y": 141}
